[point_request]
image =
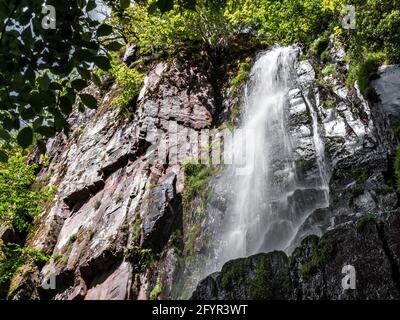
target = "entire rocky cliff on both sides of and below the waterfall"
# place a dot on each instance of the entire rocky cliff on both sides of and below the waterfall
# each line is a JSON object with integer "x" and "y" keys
{"x": 122, "y": 225}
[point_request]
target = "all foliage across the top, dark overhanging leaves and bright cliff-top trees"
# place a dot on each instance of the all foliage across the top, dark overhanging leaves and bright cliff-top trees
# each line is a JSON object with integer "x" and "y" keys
{"x": 47, "y": 69}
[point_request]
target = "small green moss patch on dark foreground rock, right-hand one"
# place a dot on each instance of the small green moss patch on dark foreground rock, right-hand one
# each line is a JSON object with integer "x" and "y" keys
{"x": 322, "y": 253}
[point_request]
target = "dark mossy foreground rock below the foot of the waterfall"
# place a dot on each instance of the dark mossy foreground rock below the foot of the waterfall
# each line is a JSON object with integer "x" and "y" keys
{"x": 315, "y": 269}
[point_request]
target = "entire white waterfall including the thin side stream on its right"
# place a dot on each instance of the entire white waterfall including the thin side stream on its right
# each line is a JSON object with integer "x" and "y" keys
{"x": 269, "y": 201}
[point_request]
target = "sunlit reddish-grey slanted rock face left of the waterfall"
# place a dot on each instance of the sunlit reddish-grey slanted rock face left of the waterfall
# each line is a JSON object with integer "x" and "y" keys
{"x": 115, "y": 200}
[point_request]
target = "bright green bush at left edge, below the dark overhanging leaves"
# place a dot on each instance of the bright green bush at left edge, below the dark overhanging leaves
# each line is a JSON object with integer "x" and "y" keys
{"x": 20, "y": 201}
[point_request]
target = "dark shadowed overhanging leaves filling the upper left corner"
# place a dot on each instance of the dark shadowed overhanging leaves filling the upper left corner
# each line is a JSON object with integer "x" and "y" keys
{"x": 43, "y": 70}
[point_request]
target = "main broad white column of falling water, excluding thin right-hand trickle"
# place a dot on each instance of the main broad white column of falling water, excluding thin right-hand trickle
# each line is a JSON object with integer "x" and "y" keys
{"x": 252, "y": 224}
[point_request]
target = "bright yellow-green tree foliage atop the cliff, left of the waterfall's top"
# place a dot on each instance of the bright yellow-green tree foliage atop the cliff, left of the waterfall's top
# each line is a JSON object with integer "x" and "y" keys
{"x": 154, "y": 31}
